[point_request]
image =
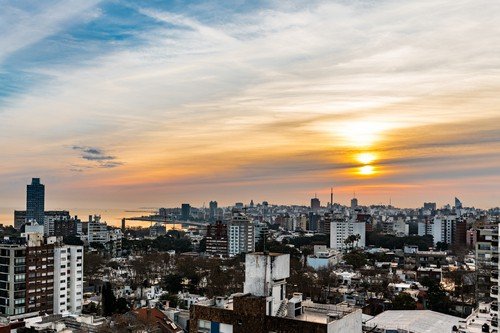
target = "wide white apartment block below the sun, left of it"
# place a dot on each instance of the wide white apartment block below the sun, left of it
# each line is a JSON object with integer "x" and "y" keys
{"x": 341, "y": 229}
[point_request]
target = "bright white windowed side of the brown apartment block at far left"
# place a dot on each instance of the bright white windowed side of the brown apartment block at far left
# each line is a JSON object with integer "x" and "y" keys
{"x": 68, "y": 279}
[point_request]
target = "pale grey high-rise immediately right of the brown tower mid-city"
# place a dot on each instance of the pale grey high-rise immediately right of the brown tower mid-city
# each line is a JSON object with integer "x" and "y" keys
{"x": 241, "y": 235}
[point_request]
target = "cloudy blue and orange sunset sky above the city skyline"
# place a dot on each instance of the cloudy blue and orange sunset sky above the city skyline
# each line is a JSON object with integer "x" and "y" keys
{"x": 155, "y": 103}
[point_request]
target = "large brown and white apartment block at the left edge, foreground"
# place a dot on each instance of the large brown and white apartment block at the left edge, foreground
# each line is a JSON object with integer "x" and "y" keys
{"x": 39, "y": 276}
